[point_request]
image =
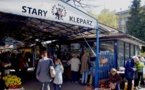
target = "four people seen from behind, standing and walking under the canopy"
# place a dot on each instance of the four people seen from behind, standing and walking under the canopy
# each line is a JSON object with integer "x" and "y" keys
{"x": 44, "y": 76}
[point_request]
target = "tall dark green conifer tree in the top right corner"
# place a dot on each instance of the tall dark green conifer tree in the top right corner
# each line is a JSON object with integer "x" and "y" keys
{"x": 135, "y": 24}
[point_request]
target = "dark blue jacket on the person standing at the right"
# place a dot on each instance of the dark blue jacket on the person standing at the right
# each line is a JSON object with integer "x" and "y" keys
{"x": 129, "y": 72}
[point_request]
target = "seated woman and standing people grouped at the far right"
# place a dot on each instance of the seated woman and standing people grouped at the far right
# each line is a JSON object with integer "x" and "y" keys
{"x": 133, "y": 72}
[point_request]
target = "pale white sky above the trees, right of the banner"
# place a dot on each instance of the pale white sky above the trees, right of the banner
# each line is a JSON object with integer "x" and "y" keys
{"x": 118, "y": 5}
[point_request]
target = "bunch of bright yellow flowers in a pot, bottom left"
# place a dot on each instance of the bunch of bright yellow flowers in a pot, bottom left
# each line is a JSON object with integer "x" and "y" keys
{"x": 12, "y": 81}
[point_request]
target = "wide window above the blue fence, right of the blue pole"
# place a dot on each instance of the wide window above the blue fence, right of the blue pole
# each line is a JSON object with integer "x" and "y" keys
{"x": 107, "y": 46}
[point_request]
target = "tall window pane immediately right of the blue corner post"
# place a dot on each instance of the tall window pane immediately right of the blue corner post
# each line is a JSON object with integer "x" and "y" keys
{"x": 120, "y": 53}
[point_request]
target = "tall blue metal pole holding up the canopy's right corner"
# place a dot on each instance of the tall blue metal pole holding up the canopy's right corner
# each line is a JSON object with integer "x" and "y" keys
{"x": 97, "y": 60}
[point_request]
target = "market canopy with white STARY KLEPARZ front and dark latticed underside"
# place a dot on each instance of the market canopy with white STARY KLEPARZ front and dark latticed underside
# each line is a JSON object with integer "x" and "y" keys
{"x": 27, "y": 20}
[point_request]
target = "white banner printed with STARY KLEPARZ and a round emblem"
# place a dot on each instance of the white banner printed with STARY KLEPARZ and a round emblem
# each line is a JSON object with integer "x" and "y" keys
{"x": 54, "y": 10}
